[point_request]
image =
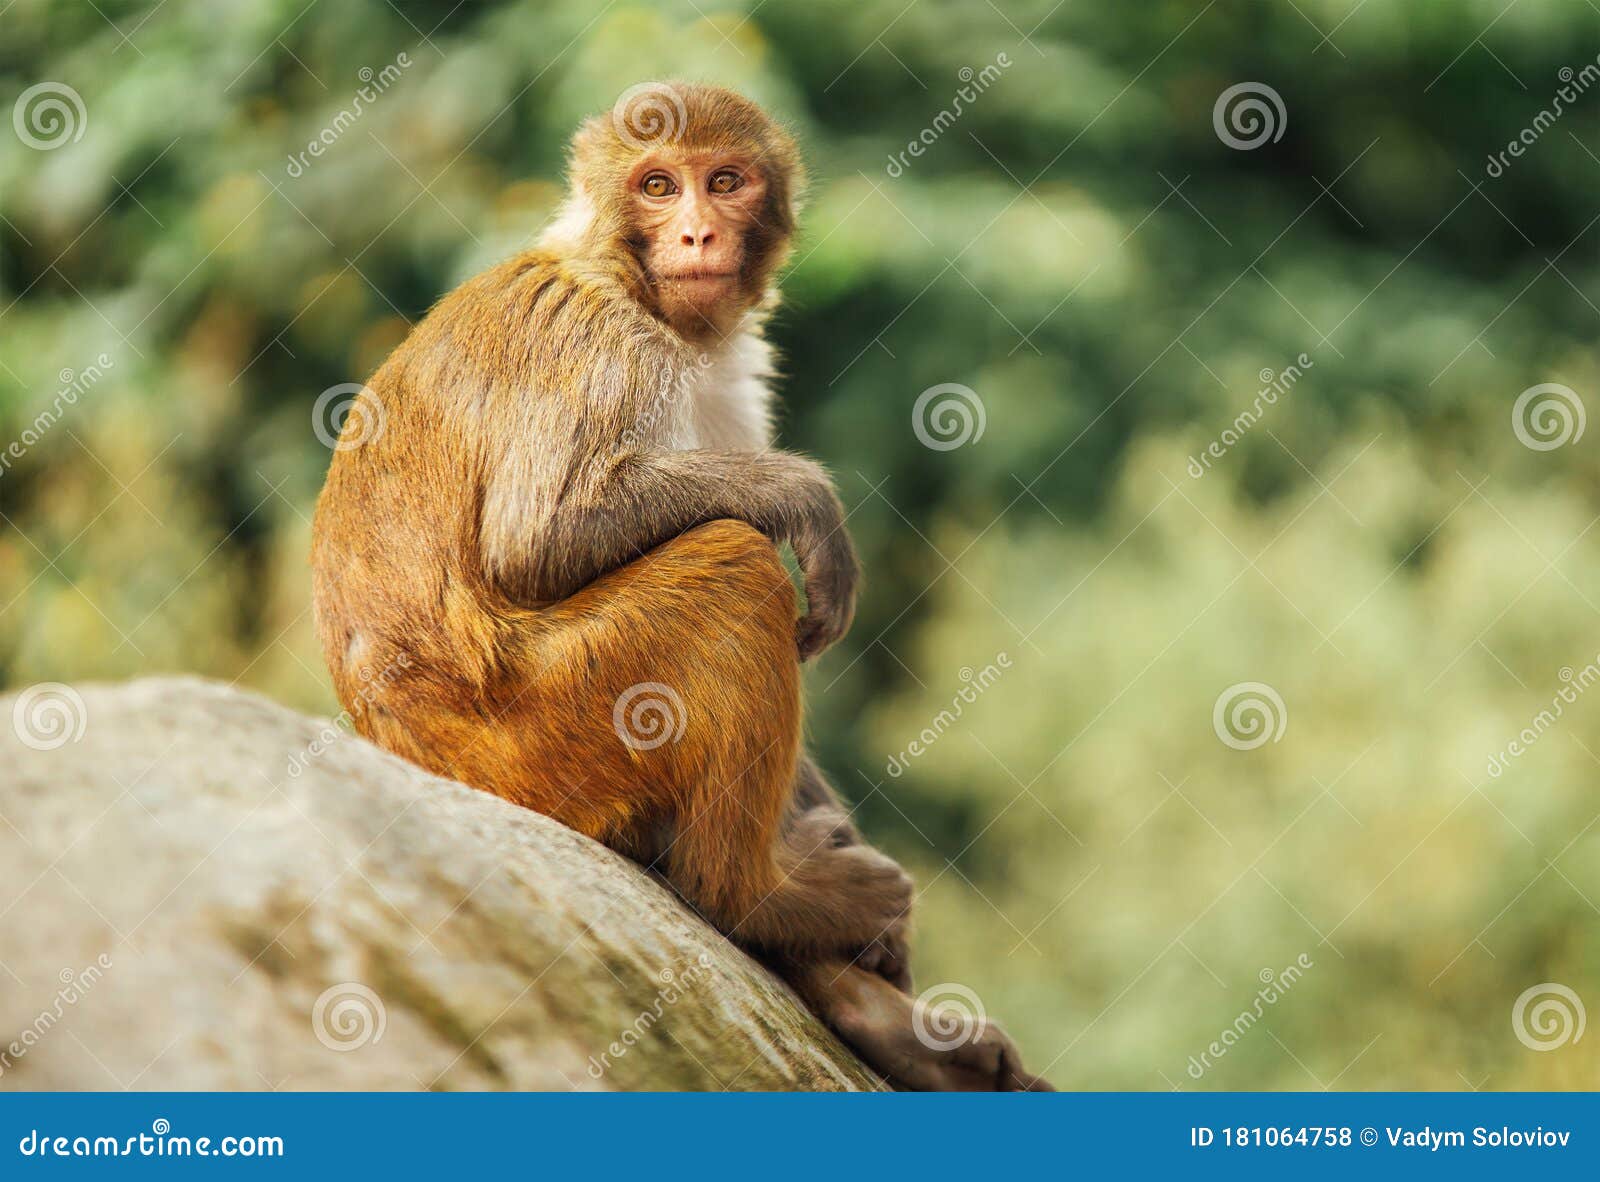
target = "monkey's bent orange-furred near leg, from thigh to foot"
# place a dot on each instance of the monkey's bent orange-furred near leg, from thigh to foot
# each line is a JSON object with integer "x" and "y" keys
{"x": 665, "y": 698}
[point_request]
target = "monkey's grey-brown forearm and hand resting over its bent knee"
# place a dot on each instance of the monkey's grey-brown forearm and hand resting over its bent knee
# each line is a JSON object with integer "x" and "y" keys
{"x": 642, "y": 500}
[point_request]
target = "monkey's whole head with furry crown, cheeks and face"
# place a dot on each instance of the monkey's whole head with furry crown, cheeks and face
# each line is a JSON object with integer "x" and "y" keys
{"x": 697, "y": 190}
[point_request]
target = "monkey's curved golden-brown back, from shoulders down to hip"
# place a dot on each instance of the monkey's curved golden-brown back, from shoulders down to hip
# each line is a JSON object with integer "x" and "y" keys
{"x": 398, "y": 537}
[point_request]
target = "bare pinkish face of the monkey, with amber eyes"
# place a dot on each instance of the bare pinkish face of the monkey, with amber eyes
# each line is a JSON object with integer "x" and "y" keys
{"x": 697, "y": 214}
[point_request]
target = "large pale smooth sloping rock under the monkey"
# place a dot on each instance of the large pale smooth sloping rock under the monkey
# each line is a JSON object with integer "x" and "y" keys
{"x": 204, "y": 890}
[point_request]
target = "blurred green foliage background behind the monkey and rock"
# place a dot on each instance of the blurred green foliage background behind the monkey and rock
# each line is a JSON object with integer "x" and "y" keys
{"x": 1081, "y": 556}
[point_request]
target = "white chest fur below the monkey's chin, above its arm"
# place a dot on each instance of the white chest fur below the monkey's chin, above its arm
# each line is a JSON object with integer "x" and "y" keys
{"x": 722, "y": 401}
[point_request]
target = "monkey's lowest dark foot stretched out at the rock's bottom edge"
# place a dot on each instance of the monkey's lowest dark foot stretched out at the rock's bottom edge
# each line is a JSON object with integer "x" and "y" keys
{"x": 913, "y": 1050}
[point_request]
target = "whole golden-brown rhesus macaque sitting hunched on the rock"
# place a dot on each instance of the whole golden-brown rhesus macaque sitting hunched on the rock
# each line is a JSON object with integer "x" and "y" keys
{"x": 559, "y": 503}
